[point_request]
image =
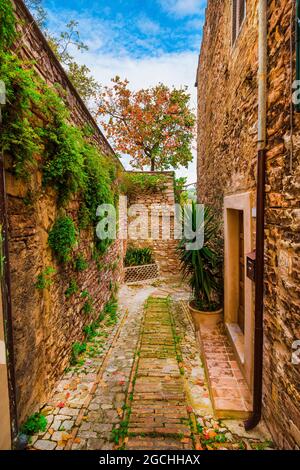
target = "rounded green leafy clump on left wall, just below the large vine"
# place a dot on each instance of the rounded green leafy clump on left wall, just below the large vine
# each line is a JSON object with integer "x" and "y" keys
{"x": 62, "y": 238}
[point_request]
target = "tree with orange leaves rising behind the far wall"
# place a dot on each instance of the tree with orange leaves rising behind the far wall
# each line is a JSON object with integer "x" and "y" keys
{"x": 155, "y": 126}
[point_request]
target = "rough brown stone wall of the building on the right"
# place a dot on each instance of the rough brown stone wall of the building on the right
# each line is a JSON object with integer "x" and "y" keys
{"x": 227, "y": 90}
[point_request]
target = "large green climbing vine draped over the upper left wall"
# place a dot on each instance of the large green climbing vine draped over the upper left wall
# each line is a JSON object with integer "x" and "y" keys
{"x": 38, "y": 135}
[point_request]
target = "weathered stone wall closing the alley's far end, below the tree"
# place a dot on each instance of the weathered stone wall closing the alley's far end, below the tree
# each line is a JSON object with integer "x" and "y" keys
{"x": 164, "y": 250}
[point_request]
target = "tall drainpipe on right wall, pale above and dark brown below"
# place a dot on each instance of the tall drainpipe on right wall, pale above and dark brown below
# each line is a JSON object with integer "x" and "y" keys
{"x": 260, "y": 217}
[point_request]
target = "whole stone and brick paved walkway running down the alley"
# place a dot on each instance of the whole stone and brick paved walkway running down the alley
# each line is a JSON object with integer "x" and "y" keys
{"x": 141, "y": 384}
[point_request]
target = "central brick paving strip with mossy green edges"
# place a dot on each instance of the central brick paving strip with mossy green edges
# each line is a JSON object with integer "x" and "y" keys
{"x": 158, "y": 415}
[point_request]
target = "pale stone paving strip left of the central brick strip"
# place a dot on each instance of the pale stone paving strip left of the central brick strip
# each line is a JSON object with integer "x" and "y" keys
{"x": 88, "y": 401}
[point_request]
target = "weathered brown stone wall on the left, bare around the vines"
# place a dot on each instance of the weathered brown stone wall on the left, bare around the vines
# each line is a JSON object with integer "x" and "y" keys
{"x": 45, "y": 323}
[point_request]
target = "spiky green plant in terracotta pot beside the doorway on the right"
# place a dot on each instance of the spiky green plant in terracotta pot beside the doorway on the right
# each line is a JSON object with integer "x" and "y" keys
{"x": 203, "y": 267}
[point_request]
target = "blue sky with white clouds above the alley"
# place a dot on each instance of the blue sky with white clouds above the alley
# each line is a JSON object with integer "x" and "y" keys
{"x": 145, "y": 41}
